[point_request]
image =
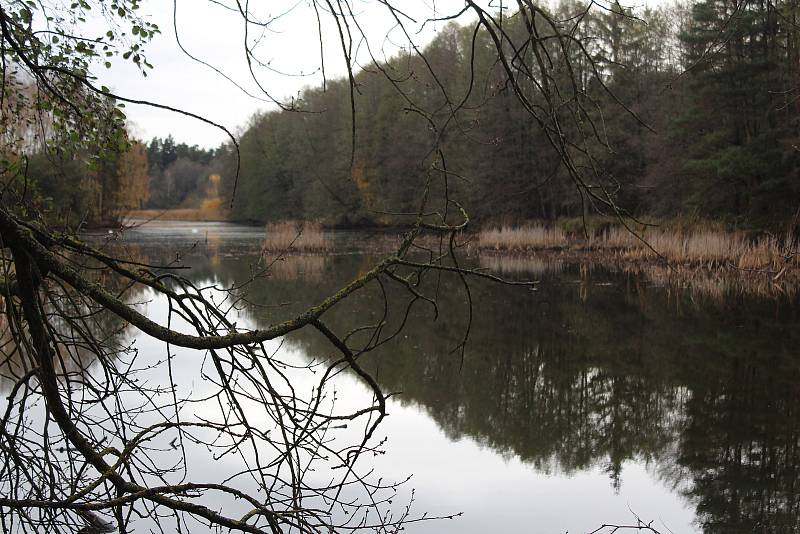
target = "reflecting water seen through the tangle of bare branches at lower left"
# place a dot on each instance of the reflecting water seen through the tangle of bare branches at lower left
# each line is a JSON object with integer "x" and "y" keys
{"x": 141, "y": 413}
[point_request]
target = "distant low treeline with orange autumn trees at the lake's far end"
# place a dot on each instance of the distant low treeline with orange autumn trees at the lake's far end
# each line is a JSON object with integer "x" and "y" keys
{"x": 101, "y": 188}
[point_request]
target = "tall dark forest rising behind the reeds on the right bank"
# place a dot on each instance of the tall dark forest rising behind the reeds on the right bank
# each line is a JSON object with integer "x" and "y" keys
{"x": 696, "y": 111}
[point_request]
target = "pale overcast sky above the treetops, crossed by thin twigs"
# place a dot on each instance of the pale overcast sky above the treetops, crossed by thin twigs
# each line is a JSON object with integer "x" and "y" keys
{"x": 289, "y": 50}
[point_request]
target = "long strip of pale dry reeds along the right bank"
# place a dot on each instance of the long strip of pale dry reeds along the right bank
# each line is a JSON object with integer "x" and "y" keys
{"x": 701, "y": 247}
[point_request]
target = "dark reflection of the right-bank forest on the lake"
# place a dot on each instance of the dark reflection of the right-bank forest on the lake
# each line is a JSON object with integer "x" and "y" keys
{"x": 592, "y": 370}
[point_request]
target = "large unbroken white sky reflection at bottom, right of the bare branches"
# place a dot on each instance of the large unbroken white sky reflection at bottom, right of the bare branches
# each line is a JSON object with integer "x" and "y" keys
{"x": 501, "y": 493}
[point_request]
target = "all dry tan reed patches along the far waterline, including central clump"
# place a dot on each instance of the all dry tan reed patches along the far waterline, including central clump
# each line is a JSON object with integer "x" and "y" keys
{"x": 675, "y": 243}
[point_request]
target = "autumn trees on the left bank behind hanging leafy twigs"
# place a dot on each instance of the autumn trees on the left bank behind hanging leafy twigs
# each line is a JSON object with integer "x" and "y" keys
{"x": 93, "y": 185}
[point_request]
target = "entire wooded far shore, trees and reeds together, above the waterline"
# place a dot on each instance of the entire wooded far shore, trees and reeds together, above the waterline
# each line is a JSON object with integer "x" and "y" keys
{"x": 715, "y": 170}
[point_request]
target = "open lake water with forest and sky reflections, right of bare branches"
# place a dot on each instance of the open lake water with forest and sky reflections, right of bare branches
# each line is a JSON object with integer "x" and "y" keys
{"x": 594, "y": 397}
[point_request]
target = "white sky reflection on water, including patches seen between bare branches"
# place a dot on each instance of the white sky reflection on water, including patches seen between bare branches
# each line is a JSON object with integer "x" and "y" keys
{"x": 495, "y": 491}
